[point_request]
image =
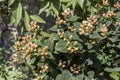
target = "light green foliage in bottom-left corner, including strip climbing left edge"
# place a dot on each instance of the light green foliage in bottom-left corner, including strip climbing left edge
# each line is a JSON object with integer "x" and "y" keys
{"x": 7, "y": 69}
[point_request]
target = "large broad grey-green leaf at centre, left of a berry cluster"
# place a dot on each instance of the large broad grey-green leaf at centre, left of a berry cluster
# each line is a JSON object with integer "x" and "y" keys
{"x": 61, "y": 46}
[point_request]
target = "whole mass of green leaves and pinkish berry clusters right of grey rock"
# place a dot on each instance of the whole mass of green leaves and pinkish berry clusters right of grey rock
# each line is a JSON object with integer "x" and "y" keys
{"x": 84, "y": 43}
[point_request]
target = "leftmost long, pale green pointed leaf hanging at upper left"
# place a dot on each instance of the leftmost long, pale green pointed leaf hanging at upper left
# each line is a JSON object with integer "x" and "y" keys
{"x": 18, "y": 13}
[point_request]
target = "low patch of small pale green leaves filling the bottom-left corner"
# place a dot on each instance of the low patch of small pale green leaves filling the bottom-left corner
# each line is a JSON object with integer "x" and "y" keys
{"x": 10, "y": 73}
